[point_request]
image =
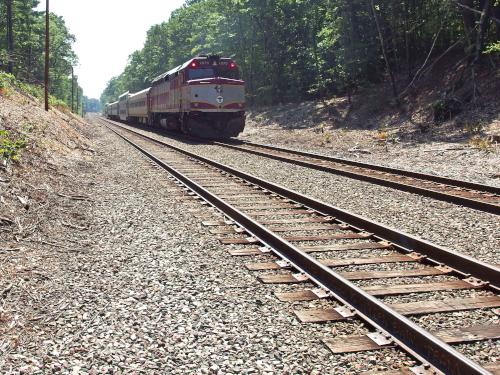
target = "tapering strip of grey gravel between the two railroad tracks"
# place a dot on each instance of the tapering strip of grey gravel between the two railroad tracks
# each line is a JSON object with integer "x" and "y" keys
{"x": 465, "y": 230}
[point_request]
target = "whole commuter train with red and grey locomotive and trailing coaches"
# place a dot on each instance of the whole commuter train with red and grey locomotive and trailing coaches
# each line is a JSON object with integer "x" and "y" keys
{"x": 204, "y": 97}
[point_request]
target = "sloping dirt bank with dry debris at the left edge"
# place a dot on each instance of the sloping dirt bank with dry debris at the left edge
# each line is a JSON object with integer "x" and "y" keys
{"x": 38, "y": 149}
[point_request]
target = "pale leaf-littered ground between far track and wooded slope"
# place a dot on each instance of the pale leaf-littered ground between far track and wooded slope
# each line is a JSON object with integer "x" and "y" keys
{"x": 444, "y": 151}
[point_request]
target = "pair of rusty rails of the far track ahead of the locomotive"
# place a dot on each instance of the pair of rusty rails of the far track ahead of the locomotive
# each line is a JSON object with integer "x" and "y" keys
{"x": 450, "y": 198}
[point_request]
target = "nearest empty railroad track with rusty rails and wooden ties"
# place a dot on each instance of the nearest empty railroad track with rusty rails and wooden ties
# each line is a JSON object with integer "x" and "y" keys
{"x": 309, "y": 242}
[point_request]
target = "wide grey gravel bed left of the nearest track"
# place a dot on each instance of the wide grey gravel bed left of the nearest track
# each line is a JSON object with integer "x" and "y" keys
{"x": 137, "y": 284}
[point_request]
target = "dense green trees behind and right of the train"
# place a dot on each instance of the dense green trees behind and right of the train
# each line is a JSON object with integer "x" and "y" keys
{"x": 296, "y": 49}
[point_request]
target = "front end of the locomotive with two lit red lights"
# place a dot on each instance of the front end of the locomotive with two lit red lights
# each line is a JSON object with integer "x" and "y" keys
{"x": 215, "y": 98}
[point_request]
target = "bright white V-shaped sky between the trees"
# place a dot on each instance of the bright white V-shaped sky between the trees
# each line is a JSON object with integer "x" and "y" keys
{"x": 107, "y": 32}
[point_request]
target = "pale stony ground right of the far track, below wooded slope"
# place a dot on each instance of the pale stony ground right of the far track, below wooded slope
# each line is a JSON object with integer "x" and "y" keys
{"x": 454, "y": 158}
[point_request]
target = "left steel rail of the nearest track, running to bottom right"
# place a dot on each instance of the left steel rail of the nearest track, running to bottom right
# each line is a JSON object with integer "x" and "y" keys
{"x": 407, "y": 334}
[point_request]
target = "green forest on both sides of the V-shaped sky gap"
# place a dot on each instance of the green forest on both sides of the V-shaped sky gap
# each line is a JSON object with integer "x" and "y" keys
{"x": 287, "y": 50}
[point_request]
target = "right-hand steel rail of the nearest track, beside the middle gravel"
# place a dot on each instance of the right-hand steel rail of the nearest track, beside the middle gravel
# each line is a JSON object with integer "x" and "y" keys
{"x": 460, "y": 262}
